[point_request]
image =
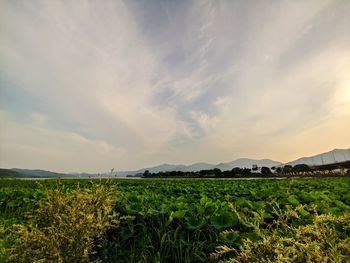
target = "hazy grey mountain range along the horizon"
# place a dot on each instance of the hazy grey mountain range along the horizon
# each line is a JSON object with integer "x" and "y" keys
{"x": 336, "y": 155}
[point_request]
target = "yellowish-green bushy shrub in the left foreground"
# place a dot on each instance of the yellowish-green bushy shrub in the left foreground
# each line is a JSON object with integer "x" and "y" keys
{"x": 65, "y": 227}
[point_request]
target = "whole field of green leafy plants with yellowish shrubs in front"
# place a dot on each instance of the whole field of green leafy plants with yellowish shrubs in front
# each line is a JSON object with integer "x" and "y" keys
{"x": 193, "y": 220}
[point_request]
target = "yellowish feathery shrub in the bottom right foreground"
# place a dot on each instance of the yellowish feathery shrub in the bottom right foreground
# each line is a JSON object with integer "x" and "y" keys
{"x": 326, "y": 239}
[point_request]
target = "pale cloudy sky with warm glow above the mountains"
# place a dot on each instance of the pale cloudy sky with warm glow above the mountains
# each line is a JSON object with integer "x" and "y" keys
{"x": 95, "y": 85}
